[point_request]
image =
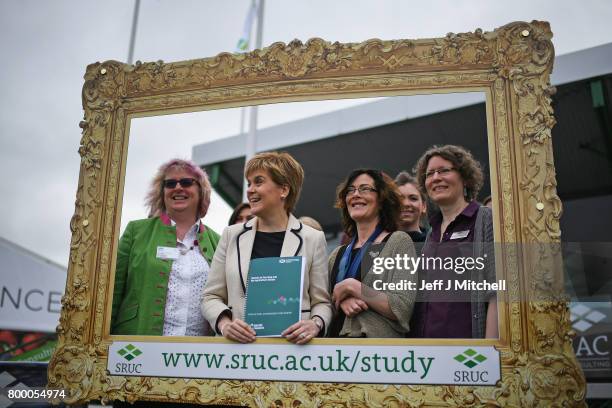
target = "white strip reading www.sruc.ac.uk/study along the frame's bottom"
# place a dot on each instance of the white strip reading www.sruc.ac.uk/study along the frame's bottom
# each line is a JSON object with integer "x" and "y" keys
{"x": 372, "y": 364}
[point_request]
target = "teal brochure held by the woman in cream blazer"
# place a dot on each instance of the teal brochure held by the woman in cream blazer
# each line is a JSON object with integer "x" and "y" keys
{"x": 274, "y": 294}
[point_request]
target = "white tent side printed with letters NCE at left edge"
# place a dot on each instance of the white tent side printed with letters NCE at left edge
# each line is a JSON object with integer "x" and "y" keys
{"x": 31, "y": 289}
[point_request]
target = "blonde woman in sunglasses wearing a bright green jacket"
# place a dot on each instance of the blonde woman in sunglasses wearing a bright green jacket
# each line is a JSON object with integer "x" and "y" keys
{"x": 163, "y": 261}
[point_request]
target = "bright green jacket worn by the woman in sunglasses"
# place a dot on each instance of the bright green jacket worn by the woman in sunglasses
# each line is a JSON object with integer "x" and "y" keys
{"x": 141, "y": 279}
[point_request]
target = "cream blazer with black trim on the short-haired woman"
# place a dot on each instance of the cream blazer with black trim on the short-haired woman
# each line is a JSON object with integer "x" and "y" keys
{"x": 226, "y": 285}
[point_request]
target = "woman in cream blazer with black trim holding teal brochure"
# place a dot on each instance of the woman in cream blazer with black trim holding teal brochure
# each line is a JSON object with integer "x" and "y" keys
{"x": 274, "y": 184}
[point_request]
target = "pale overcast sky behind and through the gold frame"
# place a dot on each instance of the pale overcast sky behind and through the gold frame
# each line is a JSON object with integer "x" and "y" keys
{"x": 45, "y": 47}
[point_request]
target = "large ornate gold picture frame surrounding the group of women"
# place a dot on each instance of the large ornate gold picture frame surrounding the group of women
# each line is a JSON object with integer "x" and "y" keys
{"x": 511, "y": 64}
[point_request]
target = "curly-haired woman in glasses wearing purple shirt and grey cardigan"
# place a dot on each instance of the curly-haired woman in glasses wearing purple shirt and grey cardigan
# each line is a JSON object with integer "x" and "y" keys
{"x": 451, "y": 178}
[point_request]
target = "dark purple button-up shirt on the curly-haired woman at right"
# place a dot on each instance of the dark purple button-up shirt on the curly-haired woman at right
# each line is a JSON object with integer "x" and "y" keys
{"x": 437, "y": 318}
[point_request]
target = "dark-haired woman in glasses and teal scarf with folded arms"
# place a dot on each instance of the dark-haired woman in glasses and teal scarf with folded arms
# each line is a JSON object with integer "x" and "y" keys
{"x": 370, "y": 206}
